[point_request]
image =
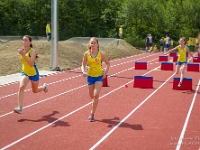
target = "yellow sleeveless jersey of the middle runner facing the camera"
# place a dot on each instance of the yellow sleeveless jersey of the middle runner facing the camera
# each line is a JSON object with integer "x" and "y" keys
{"x": 94, "y": 65}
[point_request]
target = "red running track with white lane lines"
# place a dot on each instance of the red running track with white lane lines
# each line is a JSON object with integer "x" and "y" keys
{"x": 127, "y": 118}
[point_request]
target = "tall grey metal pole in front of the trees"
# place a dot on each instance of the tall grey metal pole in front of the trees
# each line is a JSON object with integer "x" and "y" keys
{"x": 54, "y": 35}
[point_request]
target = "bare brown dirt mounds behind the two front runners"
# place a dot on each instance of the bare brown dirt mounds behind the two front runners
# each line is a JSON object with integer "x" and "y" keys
{"x": 69, "y": 54}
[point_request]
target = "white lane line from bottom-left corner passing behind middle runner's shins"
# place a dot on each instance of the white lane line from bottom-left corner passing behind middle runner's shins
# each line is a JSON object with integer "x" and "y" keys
{"x": 44, "y": 127}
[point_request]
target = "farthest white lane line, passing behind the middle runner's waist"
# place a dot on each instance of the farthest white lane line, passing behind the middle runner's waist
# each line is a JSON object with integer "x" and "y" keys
{"x": 69, "y": 78}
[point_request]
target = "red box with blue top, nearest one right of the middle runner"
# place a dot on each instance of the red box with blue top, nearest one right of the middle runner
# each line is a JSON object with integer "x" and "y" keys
{"x": 143, "y": 82}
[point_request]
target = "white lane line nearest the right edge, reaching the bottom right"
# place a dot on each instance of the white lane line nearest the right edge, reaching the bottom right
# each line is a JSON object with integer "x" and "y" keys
{"x": 187, "y": 119}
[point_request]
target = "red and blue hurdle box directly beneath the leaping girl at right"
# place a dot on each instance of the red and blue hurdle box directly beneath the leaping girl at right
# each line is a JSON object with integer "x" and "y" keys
{"x": 186, "y": 84}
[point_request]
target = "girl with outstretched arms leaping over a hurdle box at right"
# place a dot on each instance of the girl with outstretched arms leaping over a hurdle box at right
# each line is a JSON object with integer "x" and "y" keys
{"x": 182, "y": 57}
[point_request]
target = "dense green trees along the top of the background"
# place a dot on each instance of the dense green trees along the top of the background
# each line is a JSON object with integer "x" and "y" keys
{"x": 102, "y": 18}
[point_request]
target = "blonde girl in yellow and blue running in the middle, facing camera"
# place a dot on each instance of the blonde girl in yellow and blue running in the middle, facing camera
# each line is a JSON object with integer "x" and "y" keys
{"x": 95, "y": 73}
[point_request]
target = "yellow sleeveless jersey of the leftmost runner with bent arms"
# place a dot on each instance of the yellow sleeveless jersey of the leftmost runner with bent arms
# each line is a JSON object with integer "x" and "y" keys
{"x": 26, "y": 68}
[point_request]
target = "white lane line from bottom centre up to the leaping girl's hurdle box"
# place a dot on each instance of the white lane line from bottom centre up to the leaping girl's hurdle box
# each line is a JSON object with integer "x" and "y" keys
{"x": 111, "y": 131}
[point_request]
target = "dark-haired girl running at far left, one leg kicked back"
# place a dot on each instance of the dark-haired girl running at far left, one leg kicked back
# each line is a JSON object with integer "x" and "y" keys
{"x": 29, "y": 71}
